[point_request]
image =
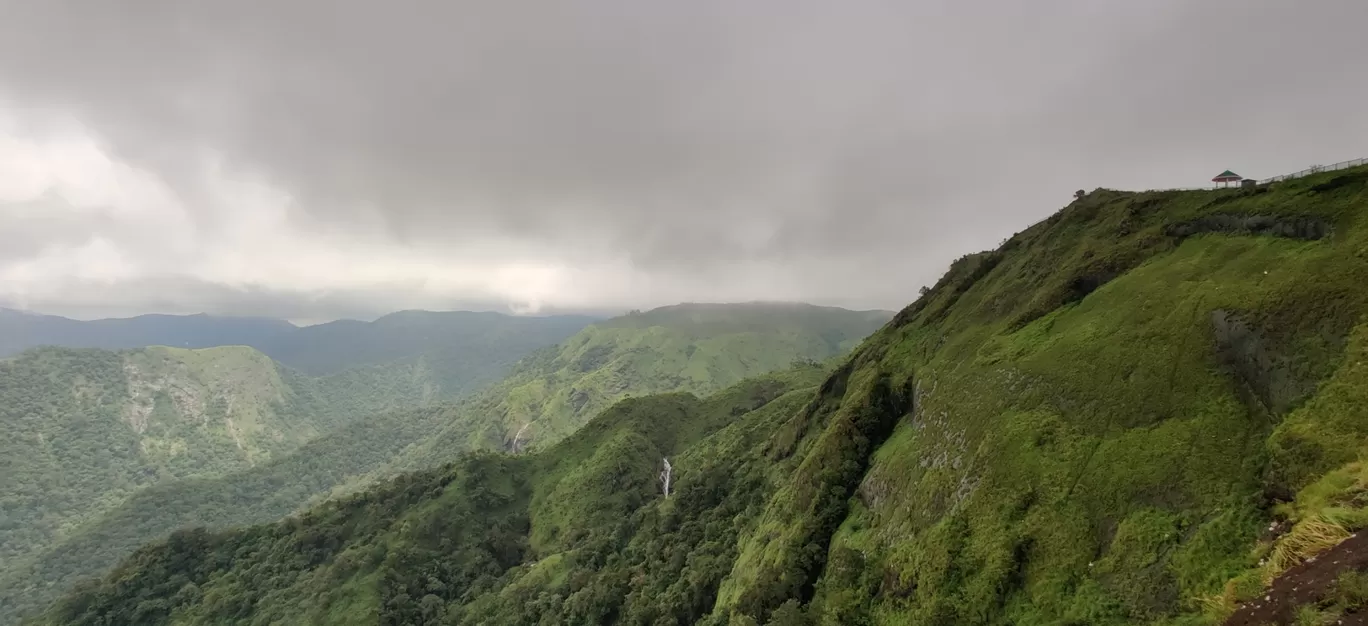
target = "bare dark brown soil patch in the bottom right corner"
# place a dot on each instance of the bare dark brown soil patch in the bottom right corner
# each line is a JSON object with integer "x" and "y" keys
{"x": 1306, "y": 584}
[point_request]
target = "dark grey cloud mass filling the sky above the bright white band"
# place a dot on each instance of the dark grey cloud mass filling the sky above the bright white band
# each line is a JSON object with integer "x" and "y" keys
{"x": 853, "y": 147}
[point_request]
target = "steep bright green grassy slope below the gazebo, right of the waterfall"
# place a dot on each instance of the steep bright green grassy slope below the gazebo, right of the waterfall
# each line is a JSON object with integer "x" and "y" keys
{"x": 1077, "y": 457}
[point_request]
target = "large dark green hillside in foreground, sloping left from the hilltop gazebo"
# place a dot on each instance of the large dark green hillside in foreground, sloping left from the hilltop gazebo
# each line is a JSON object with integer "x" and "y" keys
{"x": 1140, "y": 411}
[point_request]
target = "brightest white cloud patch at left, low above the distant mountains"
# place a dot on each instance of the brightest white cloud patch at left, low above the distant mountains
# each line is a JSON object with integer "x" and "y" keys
{"x": 243, "y": 234}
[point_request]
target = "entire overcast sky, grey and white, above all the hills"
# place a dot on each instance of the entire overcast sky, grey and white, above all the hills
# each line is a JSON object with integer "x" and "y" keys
{"x": 321, "y": 159}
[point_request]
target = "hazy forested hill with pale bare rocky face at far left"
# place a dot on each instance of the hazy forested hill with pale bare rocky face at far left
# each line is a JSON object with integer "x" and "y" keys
{"x": 87, "y": 428}
